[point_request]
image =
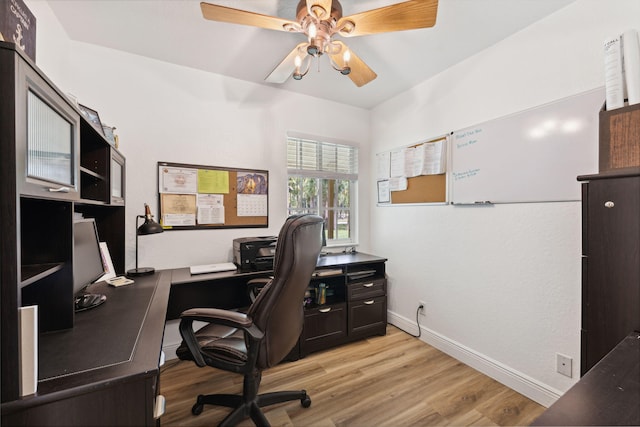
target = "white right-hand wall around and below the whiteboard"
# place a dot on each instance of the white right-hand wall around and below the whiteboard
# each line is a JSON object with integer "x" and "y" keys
{"x": 502, "y": 284}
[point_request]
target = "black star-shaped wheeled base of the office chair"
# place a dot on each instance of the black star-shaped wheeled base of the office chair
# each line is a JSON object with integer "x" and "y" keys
{"x": 251, "y": 408}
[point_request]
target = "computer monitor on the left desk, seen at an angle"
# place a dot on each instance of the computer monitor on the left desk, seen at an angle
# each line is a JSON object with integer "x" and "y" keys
{"x": 87, "y": 263}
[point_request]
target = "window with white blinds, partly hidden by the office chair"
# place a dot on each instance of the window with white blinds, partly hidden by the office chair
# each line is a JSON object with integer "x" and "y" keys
{"x": 323, "y": 178}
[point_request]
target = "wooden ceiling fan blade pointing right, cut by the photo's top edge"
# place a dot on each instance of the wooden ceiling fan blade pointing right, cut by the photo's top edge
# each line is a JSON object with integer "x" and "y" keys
{"x": 409, "y": 15}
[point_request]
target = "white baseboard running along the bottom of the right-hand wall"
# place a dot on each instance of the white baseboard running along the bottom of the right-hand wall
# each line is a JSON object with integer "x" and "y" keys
{"x": 513, "y": 379}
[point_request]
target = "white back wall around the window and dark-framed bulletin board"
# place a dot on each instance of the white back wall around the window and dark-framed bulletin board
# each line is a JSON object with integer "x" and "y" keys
{"x": 165, "y": 112}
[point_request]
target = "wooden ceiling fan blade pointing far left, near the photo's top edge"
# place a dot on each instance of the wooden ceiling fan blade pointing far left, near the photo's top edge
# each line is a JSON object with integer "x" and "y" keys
{"x": 235, "y": 16}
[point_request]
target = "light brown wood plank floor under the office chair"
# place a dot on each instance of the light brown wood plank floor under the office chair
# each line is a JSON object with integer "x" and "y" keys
{"x": 395, "y": 380}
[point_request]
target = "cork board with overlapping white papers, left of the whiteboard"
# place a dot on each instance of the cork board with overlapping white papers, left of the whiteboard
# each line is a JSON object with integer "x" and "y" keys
{"x": 413, "y": 174}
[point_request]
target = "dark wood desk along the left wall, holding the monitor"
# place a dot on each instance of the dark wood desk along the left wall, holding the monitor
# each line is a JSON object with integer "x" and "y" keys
{"x": 105, "y": 370}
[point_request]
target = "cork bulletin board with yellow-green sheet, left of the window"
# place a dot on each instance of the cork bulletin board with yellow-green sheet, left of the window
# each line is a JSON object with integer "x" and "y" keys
{"x": 209, "y": 197}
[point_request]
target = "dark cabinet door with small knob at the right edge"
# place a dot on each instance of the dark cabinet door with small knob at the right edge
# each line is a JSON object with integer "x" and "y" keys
{"x": 612, "y": 295}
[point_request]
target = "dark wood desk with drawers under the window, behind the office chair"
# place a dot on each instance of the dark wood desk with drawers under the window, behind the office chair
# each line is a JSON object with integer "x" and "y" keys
{"x": 356, "y": 308}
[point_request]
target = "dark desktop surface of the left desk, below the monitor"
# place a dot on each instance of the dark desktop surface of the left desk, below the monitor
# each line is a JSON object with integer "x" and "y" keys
{"x": 120, "y": 339}
